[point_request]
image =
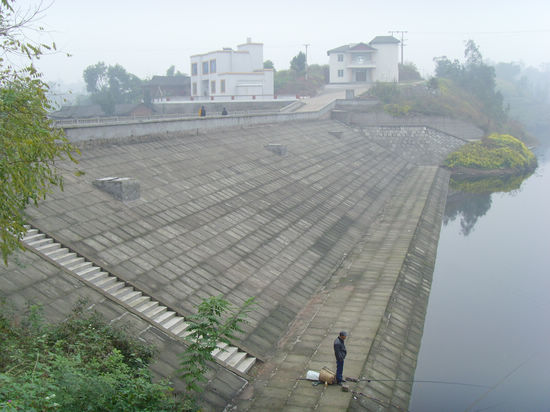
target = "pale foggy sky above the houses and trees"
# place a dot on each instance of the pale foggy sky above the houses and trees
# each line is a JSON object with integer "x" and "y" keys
{"x": 146, "y": 37}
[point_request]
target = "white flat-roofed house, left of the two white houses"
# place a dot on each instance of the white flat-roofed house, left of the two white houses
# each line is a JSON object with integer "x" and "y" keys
{"x": 229, "y": 74}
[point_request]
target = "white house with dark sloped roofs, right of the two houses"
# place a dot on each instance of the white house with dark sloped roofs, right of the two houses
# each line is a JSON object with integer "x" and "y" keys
{"x": 370, "y": 62}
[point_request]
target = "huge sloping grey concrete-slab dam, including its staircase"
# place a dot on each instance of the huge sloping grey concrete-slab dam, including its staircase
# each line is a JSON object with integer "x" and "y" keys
{"x": 329, "y": 223}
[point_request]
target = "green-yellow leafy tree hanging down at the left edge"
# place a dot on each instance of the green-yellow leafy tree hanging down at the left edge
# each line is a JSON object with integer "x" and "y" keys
{"x": 30, "y": 147}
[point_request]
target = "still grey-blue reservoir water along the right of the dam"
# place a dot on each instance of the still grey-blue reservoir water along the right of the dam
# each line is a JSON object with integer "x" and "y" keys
{"x": 487, "y": 330}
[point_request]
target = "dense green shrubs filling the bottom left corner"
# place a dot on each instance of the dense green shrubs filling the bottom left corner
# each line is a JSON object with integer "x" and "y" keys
{"x": 81, "y": 363}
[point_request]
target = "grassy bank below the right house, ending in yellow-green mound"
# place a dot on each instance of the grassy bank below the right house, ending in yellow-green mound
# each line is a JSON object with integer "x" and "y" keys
{"x": 497, "y": 154}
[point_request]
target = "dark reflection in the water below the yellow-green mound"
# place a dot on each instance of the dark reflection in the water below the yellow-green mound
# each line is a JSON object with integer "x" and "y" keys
{"x": 470, "y": 197}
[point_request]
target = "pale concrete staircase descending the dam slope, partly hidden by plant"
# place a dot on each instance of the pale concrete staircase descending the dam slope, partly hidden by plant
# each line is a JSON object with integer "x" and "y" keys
{"x": 118, "y": 290}
